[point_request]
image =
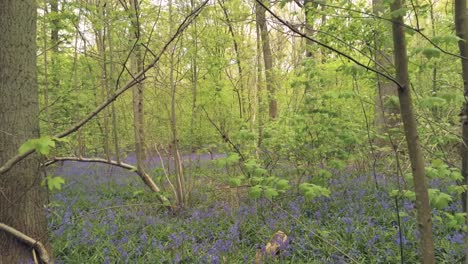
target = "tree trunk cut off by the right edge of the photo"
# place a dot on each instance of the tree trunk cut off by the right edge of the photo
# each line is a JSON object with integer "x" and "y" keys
{"x": 461, "y": 25}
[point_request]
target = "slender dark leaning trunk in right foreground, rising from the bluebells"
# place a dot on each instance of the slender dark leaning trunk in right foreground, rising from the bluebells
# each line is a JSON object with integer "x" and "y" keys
{"x": 414, "y": 150}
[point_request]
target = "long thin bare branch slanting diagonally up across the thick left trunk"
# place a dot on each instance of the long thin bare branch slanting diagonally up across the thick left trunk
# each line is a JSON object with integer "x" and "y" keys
{"x": 136, "y": 79}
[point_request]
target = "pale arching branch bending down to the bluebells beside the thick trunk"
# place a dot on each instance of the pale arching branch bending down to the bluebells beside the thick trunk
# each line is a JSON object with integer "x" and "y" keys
{"x": 143, "y": 175}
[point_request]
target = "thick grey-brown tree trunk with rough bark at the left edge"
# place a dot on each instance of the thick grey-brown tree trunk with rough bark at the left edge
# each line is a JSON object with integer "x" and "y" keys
{"x": 22, "y": 198}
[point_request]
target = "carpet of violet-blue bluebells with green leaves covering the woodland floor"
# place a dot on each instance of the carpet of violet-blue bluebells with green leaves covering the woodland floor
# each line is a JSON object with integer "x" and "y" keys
{"x": 104, "y": 214}
